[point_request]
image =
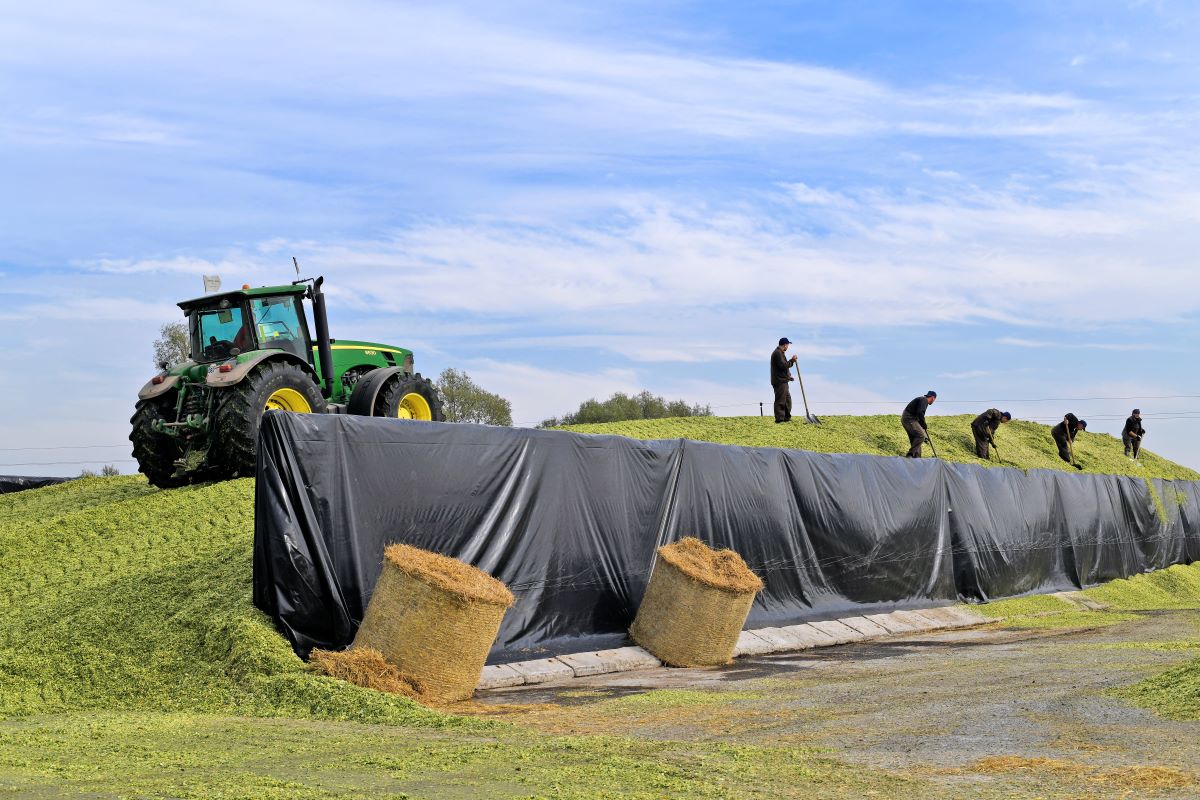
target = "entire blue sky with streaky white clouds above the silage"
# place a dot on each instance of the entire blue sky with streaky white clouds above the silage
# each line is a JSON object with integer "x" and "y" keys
{"x": 998, "y": 201}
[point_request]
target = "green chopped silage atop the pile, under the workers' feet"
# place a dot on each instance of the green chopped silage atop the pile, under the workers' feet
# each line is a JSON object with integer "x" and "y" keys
{"x": 1024, "y": 446}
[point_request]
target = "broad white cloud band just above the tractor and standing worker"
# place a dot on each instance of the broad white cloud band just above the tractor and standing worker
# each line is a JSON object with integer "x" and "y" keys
{"x": 674, "y": 278}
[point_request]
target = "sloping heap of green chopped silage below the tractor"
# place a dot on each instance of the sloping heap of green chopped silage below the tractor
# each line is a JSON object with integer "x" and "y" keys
{"x": 117, "y": 596}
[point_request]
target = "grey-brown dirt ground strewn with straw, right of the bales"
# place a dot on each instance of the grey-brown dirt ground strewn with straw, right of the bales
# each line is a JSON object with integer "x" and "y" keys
{"x": 988, "y": 712}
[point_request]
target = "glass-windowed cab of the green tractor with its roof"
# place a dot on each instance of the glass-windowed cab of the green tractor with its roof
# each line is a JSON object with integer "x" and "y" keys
{"x": 271, "y": 318}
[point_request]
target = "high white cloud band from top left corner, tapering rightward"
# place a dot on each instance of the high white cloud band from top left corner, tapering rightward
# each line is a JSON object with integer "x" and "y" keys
{"x": 362, "y": 55}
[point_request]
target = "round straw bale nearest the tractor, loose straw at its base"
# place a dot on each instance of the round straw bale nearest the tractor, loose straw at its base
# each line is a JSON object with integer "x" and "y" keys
{"x": 435, "y": 619}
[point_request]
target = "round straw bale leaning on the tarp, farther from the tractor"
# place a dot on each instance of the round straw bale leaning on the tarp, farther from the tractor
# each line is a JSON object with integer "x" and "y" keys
{"x": 695, "y": 605}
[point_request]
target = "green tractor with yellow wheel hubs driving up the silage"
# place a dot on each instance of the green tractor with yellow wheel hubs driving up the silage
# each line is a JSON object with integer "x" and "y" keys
{"x": 251, "y": 352}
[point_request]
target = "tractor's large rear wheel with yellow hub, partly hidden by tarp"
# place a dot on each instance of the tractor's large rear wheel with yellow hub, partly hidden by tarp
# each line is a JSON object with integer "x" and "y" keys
{"x": 273, "y": 386}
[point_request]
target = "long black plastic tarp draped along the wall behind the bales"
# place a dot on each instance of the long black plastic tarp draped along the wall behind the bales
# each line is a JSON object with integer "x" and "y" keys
{"x": 572, "y": 524}
